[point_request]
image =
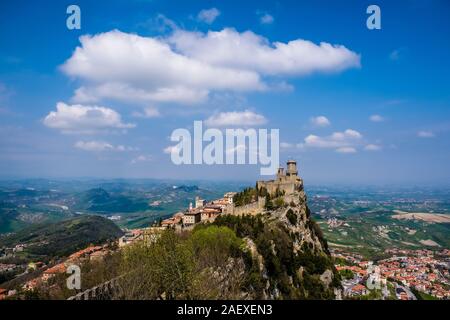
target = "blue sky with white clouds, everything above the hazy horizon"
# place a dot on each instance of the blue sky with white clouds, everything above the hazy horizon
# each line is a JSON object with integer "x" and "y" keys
{"x": 377, "y": 112}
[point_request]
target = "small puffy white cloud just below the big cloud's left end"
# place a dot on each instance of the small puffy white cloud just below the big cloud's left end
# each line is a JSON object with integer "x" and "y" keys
{"x": 84, "y": 119}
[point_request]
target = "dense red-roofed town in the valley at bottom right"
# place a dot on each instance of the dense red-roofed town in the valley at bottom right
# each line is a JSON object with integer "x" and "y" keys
{"x": 404, "y": 275}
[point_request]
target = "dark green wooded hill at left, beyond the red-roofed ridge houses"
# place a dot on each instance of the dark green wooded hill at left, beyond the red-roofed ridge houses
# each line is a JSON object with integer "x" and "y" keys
{"x": 64, "y": 237}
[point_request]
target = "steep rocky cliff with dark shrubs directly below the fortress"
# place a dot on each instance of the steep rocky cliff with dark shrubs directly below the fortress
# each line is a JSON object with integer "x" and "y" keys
{"x": 291, "y": 254}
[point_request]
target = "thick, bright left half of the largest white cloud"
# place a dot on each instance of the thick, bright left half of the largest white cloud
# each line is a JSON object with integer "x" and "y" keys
{"x": 147, "y": 69}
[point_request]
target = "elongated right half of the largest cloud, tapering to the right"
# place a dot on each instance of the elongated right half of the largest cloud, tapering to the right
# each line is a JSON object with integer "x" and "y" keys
{"x": 249, "y": 51}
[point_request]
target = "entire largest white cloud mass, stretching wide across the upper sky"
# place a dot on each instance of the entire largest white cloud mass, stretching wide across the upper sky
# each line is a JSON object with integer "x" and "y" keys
{"x": 186, "y": 67}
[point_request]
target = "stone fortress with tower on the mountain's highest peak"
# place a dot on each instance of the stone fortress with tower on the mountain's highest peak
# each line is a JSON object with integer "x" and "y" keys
{"x": 288, "y": 181}
